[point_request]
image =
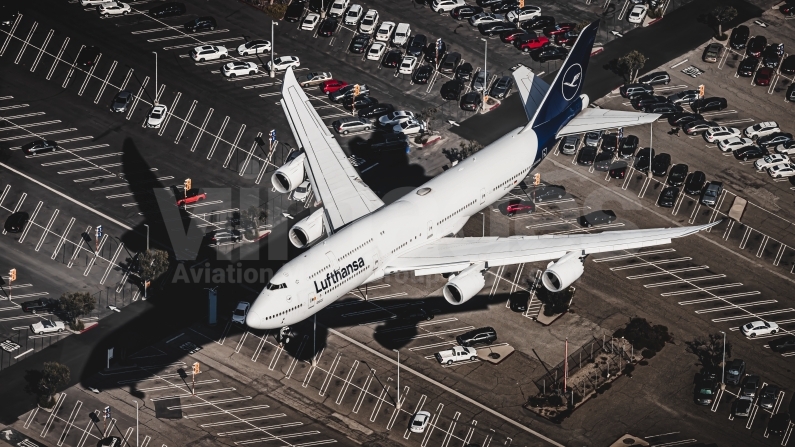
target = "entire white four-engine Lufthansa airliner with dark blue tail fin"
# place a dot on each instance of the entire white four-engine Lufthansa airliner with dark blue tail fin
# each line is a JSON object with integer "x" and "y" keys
{"x": 366, "y": 240}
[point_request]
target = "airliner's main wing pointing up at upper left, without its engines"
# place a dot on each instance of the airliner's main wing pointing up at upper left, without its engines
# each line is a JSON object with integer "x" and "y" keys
{"x": 334, "y": 180}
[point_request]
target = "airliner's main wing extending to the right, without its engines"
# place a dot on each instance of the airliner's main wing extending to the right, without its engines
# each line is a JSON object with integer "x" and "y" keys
{"x": 448, "y": 255}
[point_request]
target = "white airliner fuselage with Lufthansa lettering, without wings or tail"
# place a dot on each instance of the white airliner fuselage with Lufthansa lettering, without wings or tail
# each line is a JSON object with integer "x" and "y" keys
{"x": 358, "y": 253}
